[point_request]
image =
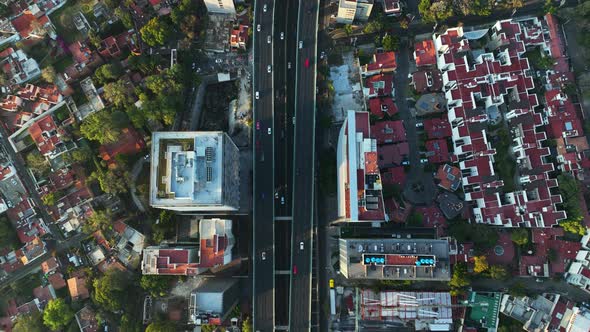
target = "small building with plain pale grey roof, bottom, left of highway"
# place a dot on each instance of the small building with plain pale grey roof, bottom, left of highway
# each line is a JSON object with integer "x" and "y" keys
{"x": 211, "y": 302}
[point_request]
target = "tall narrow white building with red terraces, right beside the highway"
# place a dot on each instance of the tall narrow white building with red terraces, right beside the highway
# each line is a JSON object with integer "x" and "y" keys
{"x": 360, "y": 196}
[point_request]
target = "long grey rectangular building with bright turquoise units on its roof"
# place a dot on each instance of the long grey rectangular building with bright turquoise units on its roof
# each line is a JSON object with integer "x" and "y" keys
{"x": 395, "y": 259}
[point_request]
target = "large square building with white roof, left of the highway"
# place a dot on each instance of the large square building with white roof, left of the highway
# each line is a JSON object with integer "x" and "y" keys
{"x": 194, "y": 171}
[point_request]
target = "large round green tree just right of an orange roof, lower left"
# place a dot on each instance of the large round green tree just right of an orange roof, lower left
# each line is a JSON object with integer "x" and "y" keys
{"x": 110, "y": 290}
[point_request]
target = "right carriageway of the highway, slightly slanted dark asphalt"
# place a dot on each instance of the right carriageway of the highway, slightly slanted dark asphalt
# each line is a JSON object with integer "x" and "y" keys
{"x": 304, "y": 159}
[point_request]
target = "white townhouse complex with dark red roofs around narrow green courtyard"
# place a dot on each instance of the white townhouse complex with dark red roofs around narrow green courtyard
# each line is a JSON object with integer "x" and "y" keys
{"x": 466, "y": 85}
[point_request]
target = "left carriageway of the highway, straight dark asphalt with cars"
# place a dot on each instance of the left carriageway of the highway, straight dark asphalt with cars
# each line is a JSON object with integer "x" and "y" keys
{"x": 263, "y": 167}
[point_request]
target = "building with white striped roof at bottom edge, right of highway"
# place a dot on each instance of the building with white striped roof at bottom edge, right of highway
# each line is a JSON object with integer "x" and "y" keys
{"x": 423, "y": 311}
